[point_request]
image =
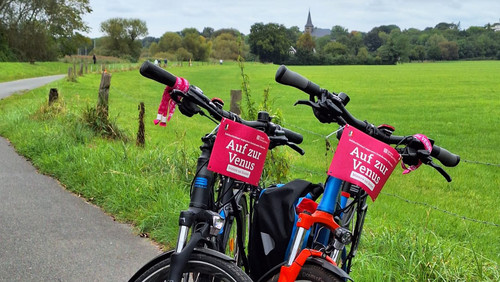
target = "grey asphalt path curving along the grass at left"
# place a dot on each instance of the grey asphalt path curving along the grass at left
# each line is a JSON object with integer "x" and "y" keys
{"x": 50, "y": 234}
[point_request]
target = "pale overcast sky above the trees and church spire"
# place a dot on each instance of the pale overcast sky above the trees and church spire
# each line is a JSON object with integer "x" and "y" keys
{"x": 362, "y": 15}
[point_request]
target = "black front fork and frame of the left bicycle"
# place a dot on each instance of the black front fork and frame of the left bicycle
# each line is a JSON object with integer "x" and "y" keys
{"x": 207, "y": 218}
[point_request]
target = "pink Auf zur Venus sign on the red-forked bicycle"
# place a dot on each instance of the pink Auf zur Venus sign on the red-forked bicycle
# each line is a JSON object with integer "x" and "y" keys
{"x": 363, "y": 160}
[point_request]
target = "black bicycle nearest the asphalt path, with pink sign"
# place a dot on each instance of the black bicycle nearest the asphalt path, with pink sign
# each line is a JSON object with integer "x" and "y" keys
{"x": 207, "y": 227}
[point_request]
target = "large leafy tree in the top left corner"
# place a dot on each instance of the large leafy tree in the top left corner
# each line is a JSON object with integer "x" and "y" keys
{"x": 33, "y": 29}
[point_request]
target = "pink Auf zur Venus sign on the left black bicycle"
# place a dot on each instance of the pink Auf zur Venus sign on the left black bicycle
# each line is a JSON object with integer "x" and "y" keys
{"x": 239, "y": 152}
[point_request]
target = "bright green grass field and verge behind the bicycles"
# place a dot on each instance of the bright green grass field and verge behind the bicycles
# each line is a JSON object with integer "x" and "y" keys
{"x": 420, "y": 228}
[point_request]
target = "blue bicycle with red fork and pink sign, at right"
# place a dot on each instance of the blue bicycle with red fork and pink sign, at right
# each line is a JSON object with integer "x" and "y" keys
{"x": 327, "y": 236}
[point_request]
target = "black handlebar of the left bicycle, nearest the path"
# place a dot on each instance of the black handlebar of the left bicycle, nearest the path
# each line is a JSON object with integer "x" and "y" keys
{"x": 196, "y": 96}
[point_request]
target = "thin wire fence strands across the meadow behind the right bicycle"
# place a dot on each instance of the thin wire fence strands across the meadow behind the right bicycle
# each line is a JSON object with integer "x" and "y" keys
{"x": 450, "y": 213}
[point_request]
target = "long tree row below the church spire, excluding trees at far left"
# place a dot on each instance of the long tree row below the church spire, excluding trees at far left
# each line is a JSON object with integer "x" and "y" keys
{"x": 275, "y": 43}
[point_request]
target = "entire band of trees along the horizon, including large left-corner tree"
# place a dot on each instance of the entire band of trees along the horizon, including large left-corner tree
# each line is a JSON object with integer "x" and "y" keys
{"x": 45, "y": 30}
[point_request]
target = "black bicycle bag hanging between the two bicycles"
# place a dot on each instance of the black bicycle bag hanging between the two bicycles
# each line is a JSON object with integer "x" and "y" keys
{"x": 272, "y": 225}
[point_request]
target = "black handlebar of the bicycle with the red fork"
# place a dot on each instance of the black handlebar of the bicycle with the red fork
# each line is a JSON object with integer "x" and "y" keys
{"x": 288, "y": 77}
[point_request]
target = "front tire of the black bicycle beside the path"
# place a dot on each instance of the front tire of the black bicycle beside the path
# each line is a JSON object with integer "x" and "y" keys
{"x": 200, "y": 267}
